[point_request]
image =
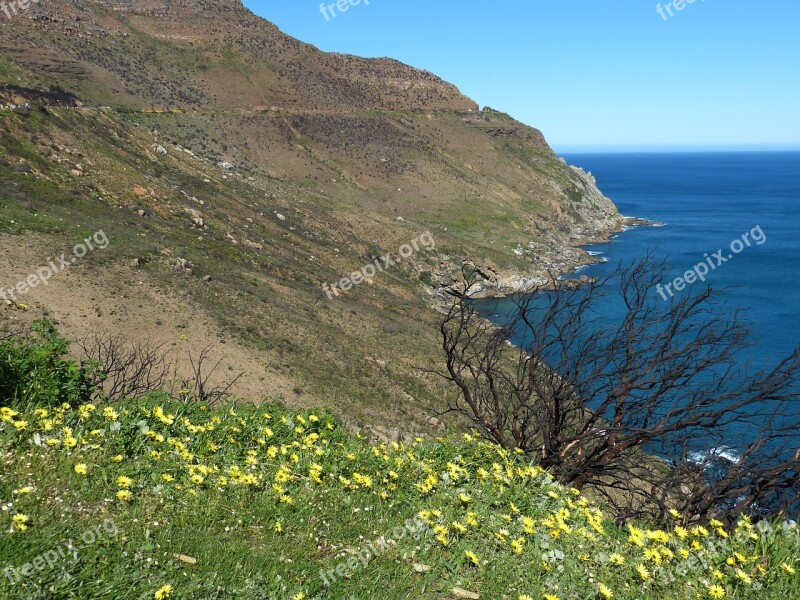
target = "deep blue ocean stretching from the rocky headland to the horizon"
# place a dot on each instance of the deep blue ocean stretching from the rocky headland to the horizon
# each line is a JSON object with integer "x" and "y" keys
{"x": 707, "y": 201}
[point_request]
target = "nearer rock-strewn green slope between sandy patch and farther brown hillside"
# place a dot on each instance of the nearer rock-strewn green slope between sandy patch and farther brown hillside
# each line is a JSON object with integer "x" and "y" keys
{"x": 271, "y": 298}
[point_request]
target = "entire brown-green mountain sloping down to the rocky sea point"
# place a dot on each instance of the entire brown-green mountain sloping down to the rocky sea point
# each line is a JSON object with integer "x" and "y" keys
{"x": 236, "y": 171}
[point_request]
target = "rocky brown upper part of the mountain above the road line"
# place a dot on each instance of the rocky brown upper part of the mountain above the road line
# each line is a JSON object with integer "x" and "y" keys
{"x": 352, "y": 82}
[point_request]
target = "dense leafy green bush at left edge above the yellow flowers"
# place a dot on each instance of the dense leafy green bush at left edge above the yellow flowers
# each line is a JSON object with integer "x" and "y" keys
{"x": 34, "y": 370}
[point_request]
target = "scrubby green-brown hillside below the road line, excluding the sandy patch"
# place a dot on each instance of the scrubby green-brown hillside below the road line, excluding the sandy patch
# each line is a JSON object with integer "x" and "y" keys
{"x": 272, "y": 298}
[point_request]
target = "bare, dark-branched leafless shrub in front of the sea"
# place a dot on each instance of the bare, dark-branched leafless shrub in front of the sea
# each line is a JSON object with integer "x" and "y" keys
{"x": 652, "y": 408}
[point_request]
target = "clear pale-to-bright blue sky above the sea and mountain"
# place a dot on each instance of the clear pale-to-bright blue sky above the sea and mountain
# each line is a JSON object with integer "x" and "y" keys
{"x": 592, "y": 75}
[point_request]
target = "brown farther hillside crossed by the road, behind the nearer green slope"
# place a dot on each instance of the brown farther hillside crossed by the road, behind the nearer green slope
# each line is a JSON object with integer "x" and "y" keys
{"x": 344, "y": 129}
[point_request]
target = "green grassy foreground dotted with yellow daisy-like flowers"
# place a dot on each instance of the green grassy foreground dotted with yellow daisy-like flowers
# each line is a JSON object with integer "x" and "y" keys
{"x": 257, "y": 501}
